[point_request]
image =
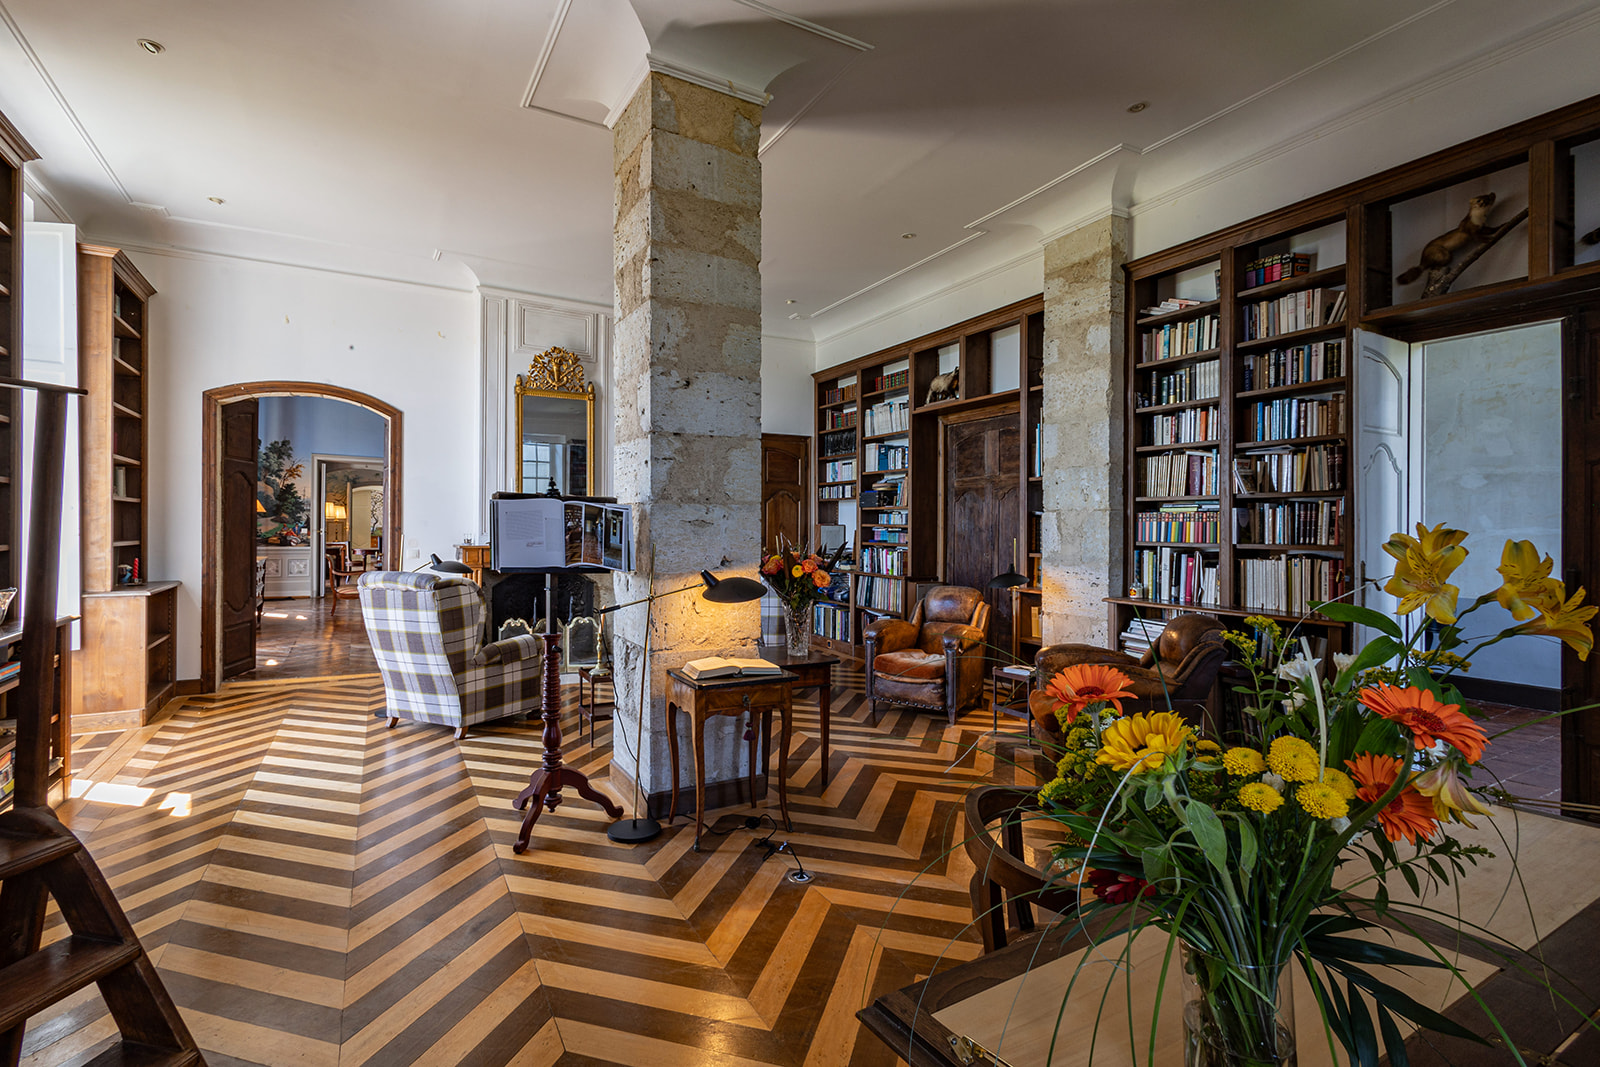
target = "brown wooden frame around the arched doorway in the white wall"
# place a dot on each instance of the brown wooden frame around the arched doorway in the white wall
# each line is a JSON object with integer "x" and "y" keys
{"x": 212, "y": 497}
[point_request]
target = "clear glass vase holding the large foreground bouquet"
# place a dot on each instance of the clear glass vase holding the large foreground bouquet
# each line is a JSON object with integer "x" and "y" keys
{"x": 1236, "y": 1015}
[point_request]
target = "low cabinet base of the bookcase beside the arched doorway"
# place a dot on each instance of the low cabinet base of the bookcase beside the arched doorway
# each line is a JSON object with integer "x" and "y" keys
{"x": 129, "y": 661}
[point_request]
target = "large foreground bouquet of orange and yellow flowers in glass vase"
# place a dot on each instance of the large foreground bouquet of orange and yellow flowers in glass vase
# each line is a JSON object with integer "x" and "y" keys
{"x": 1233, "y": 849}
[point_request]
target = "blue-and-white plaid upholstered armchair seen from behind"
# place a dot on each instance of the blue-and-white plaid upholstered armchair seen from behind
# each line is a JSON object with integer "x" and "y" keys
{"x": 428, "y": 637}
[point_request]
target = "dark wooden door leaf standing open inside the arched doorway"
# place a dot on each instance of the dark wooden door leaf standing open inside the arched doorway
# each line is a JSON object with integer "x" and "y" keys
{"x": 239, "y": 538}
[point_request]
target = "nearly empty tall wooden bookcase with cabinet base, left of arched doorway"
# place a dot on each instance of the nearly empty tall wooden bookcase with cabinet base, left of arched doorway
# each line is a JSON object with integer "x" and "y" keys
{"x": 129, "y": 661}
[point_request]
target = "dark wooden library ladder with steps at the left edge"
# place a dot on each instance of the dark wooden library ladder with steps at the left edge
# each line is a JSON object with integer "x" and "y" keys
{"x": 44, "y": 860}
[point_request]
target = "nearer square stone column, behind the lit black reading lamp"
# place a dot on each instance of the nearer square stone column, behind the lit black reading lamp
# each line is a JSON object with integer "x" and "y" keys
{"x": 687, "y": 372}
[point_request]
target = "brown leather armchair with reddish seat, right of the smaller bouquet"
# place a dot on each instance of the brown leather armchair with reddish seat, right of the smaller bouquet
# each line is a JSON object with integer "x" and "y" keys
{"x": 935, "y": 660}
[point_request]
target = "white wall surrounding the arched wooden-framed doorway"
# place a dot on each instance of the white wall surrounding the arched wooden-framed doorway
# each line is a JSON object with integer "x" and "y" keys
{"x": 217, "y": 322}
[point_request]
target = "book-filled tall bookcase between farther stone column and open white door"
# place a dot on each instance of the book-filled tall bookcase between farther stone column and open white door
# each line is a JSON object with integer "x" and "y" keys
{"x": 1239, "y": 433}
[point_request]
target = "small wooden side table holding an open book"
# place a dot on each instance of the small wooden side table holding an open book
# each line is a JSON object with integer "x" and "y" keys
{"x": 729, "y": 697}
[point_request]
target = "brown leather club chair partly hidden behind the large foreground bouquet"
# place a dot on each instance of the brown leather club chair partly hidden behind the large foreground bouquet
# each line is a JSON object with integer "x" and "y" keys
{"x": 1178, "y": 671}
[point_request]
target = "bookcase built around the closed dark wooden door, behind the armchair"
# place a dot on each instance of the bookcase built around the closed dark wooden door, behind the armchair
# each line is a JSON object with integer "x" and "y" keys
{"x": 879, "y": 471}
